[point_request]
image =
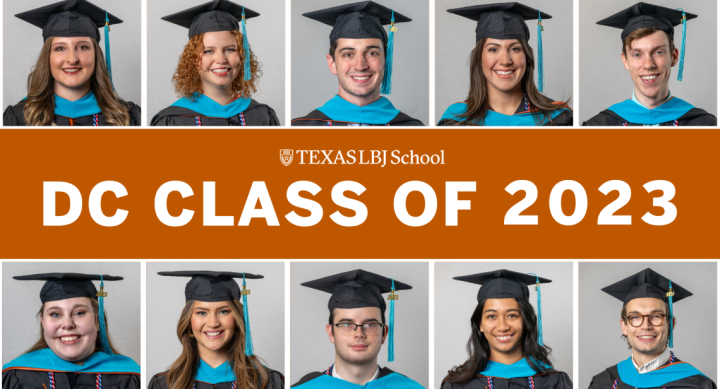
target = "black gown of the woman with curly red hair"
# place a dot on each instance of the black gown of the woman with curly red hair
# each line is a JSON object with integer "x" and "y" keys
{"x": 256, "y": 114}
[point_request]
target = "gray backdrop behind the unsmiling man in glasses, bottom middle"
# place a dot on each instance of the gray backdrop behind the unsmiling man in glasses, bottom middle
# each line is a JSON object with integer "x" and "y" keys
{"x": 311, "y": 349}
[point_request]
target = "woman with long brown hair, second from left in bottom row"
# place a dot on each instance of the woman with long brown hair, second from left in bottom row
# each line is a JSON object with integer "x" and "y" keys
{"x": 214, "y": 330}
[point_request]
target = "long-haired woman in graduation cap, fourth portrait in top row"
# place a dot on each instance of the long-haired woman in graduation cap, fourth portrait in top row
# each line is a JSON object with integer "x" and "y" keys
{"x": 502, "y": 87}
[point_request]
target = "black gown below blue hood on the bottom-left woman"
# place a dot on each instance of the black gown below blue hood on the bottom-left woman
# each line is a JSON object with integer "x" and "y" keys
{"x": 34, "y": 379}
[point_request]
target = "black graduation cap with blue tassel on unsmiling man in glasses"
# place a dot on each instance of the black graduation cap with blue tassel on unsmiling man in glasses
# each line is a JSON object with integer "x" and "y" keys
{"x": 360, "y": 289}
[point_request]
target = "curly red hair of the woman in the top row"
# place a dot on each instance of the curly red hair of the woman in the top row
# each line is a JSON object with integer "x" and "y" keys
{"x": 187, "y": 77}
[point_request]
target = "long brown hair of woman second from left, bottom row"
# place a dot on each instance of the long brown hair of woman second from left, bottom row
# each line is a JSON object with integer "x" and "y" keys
{"x": 249, "y": 371}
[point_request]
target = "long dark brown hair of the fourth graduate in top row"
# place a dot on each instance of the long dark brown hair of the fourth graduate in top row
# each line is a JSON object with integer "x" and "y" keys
{"x": 478, "y": 103}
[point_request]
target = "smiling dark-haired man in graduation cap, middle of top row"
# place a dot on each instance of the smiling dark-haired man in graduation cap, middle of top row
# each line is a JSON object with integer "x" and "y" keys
{"x": 361, "y": 58}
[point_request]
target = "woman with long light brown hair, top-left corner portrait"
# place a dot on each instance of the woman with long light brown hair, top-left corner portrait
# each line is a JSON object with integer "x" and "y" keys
{"x": 70, "y": 84}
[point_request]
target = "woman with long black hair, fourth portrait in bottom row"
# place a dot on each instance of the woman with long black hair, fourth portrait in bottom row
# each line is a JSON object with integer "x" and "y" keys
{"x": 506, "y": 346}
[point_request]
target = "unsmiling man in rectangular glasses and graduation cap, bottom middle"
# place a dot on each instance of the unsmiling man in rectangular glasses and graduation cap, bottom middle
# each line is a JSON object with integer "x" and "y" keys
{"x": 357, "y": 329}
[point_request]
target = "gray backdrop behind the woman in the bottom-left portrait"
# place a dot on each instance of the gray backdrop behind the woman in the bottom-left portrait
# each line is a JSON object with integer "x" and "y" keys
{"x": 21, "y": 302}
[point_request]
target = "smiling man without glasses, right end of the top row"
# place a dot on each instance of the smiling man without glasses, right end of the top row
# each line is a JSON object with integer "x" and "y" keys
{"x": 649, "y": 53}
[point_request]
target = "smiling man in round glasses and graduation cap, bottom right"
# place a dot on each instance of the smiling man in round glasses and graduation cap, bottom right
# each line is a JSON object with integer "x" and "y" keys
{"x": 647, "y": 324}
